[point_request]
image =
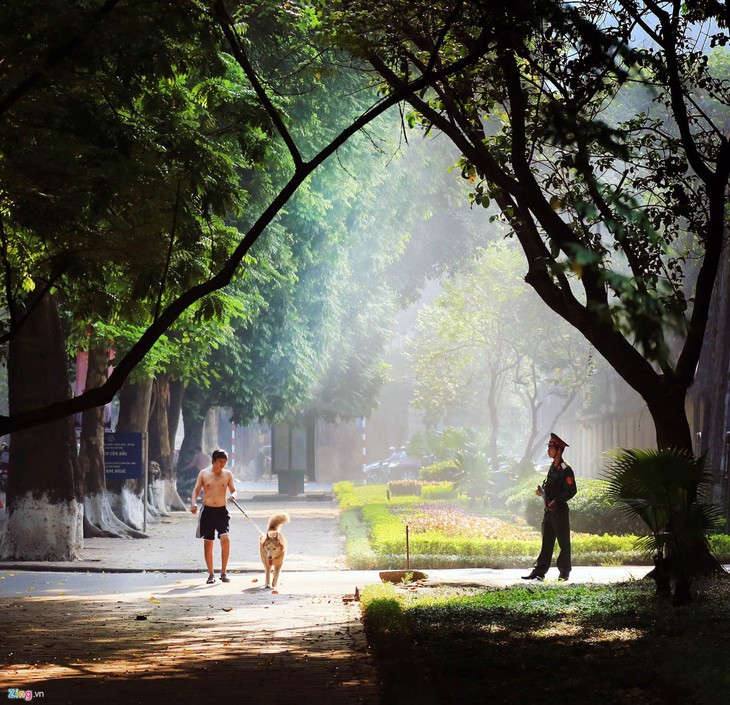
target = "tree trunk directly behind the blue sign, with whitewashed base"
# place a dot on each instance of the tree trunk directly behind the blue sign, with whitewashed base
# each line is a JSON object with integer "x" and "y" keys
{"x": 134, "y": 409}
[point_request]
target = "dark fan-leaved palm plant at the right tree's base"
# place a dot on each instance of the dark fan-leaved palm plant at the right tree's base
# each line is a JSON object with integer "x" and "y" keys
{"x": 665, "y": 488}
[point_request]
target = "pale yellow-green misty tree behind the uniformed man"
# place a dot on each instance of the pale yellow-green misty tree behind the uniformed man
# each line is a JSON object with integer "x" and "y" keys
{"x": 484, "y": 349}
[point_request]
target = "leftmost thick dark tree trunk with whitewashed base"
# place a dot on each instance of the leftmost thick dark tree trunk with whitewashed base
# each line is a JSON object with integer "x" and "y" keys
{"x": 45, "y": 516}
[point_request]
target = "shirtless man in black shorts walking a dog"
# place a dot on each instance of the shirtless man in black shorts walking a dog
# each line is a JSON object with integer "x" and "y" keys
{"x": 214, "y": 481}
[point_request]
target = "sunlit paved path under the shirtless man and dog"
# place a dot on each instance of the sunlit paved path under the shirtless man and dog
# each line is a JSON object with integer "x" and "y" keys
{"x": 134, "y": 621}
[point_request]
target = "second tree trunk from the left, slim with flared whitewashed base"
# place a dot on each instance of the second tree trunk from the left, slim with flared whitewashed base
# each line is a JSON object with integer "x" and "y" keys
{"x": 99, "y": 519}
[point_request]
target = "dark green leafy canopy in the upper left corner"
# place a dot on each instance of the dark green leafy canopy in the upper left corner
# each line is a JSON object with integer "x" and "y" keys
{"x": 138, "y": 169}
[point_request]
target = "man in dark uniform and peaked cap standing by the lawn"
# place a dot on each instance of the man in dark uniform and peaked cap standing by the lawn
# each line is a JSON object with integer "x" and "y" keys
{"x": 558, "y": 487}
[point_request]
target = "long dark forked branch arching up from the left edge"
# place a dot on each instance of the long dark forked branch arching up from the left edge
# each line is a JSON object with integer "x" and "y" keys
{"x": 215, "y": 24}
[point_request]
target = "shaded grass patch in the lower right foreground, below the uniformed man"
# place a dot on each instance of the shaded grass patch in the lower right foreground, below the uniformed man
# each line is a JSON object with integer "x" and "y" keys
{"x": 546, "y": 644}
